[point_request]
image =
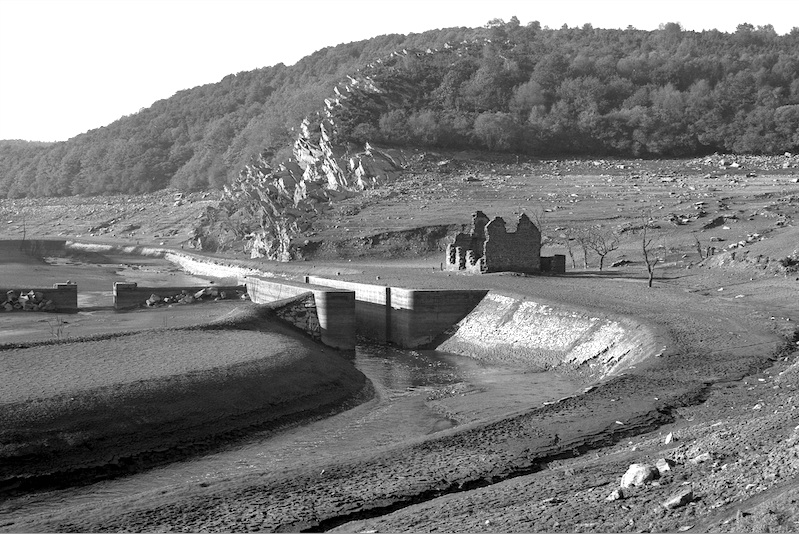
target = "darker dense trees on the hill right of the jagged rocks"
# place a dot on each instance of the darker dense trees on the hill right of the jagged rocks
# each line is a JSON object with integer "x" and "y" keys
{"x": 586, "y": 91}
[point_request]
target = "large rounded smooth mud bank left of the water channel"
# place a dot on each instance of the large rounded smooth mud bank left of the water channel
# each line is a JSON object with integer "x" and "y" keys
{"x": 86, "y": 407}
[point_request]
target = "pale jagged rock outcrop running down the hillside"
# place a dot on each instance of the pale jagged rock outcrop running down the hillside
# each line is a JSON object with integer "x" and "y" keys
{"x": 267, "y": 208}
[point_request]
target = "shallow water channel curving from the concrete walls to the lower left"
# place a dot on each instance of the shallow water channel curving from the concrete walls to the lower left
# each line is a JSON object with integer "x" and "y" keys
{"x": 418, "y": 393}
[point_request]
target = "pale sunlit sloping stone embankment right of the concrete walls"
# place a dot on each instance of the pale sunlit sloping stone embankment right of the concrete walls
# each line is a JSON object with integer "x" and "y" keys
{"x": 512, "y": 329}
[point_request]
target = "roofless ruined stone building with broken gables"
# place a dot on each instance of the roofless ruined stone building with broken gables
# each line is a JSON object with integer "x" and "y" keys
{"x": 490, "y": 248}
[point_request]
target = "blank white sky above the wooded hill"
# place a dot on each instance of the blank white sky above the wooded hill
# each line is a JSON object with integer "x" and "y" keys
{"x": 67, "y": 66}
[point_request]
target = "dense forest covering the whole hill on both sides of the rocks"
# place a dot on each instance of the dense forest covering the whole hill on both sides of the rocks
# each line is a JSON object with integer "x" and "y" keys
{"x": 504, "y": 87}
